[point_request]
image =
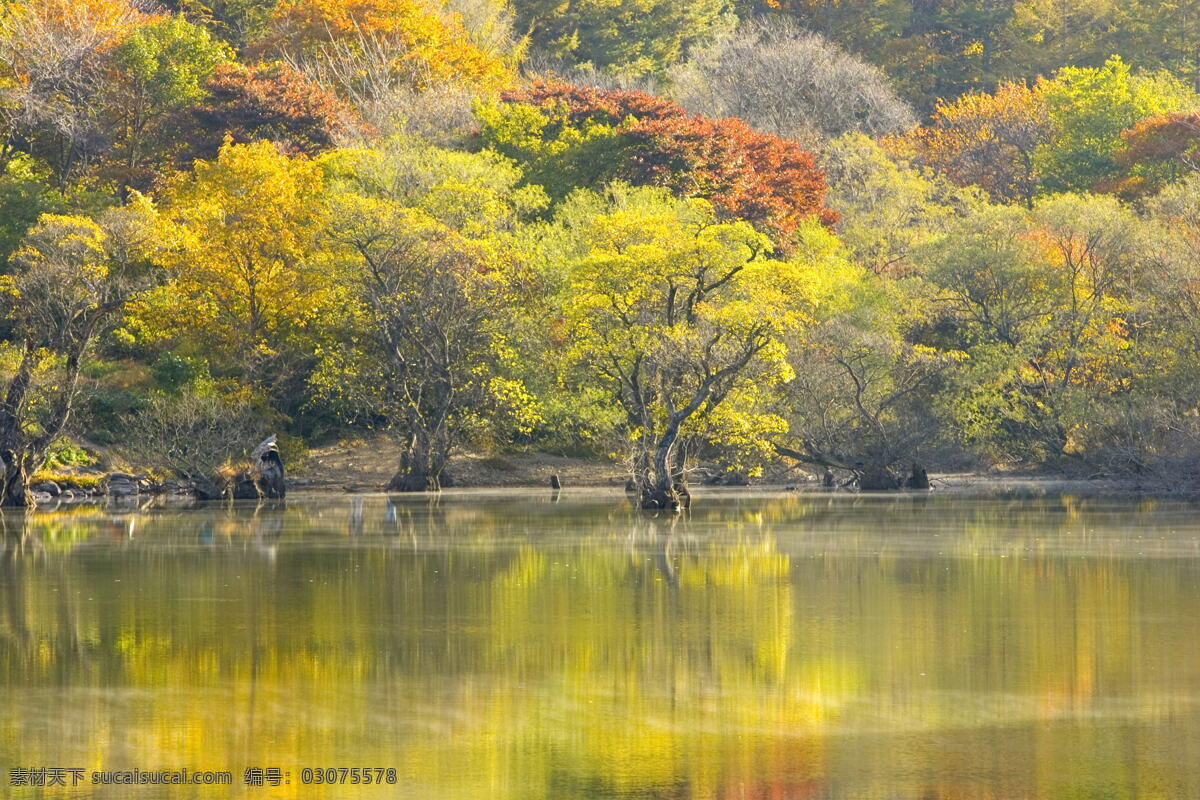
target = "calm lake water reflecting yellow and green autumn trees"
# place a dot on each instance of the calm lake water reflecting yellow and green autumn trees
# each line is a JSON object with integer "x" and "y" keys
{"x": 503, "y": 646}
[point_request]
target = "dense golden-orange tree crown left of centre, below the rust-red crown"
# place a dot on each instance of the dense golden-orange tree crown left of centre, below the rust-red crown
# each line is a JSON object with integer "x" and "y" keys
{"x": 247, "y": 276}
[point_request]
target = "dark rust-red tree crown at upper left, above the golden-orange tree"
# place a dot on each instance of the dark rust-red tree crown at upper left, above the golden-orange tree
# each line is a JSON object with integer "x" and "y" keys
{"x": 273, "y": 103}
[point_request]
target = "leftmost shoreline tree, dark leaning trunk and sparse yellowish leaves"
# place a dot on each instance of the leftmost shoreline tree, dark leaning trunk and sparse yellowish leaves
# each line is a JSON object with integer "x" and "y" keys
{"x": 74, "y": 275}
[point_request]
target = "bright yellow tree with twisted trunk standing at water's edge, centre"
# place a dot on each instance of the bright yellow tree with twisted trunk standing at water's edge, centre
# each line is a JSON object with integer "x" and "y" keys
{"x": 675, "y": 314}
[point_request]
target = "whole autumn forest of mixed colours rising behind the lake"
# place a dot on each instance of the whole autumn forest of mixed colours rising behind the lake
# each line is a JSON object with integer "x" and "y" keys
{"x": 867, "y": 238}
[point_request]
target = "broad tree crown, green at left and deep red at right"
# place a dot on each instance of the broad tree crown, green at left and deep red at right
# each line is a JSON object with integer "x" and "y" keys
{"x": 572, "y": 136}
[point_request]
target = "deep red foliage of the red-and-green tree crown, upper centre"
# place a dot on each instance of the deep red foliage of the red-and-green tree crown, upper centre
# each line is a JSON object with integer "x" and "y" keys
{"x": 758, "y": 177}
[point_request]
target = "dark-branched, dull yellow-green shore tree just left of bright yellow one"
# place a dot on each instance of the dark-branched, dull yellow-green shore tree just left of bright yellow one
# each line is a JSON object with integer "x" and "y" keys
{"x": 434, "y": 309}
